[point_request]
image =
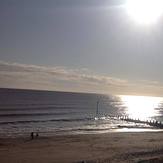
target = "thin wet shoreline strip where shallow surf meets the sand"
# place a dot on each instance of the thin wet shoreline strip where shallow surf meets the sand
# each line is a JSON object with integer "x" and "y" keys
{"x": 82, "y": 132}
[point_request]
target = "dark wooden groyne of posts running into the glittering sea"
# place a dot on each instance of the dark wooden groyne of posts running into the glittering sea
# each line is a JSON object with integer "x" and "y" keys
{"x": 153, "y": 123}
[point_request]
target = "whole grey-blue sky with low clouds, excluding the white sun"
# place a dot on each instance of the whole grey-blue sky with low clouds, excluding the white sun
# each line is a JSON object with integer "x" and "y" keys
{"x": 79, "y": 46}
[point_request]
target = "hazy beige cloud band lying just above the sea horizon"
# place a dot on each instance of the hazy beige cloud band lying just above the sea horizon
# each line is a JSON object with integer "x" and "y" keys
{"x": 15, "y": 75}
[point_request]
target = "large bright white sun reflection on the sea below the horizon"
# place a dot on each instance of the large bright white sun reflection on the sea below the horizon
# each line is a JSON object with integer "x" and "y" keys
{"x": 141, "y": 107}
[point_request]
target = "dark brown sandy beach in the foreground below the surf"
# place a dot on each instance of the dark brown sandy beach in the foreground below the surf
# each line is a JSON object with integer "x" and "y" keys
{"x": 110, "y": 147}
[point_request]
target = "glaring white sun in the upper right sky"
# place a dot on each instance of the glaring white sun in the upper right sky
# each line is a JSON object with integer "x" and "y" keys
{"x": 145, "y": 11}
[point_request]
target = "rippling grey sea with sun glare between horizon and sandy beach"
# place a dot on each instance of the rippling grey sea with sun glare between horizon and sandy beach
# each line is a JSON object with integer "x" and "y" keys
{"x": 24, "y": 111}
